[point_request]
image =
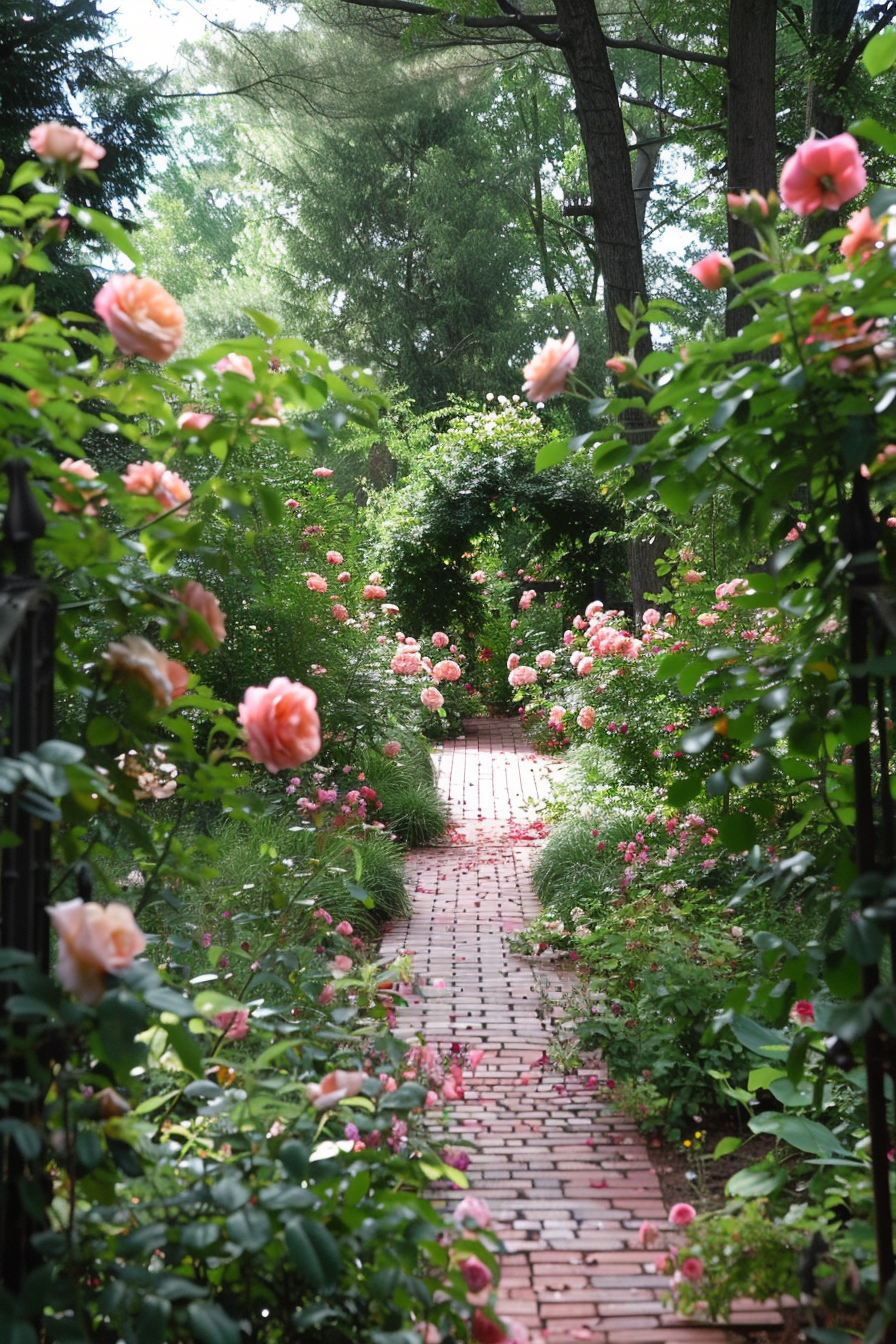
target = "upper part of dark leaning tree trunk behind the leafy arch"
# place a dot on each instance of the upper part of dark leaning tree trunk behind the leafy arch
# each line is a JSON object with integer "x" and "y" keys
{"x": 608, "y": 157}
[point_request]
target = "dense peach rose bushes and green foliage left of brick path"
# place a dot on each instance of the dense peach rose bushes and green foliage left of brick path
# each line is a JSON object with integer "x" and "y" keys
{"x": 209, "y": 1128}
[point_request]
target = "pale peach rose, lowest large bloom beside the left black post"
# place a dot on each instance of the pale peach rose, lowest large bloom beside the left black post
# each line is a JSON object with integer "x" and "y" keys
{"x": 93, "y": 941}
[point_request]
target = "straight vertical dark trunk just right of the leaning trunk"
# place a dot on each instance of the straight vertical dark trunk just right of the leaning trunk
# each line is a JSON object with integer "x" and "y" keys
{"x": 752, "y": 120}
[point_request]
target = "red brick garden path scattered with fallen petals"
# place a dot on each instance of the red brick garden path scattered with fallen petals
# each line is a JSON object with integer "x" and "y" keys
{"x": 568, "y": 1179}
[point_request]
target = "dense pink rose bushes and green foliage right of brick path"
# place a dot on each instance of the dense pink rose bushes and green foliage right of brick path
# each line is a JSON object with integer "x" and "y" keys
{"x": 777, "y": 912}
